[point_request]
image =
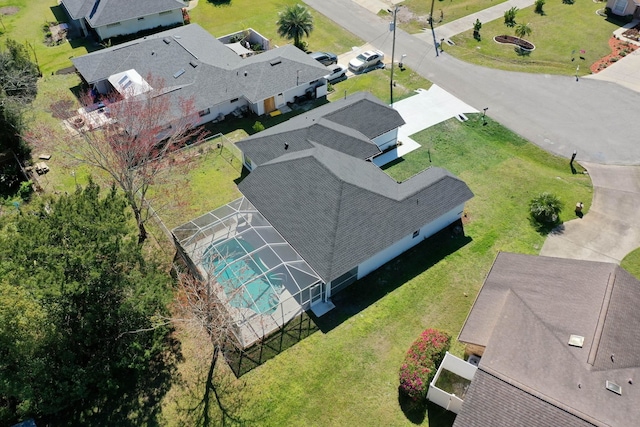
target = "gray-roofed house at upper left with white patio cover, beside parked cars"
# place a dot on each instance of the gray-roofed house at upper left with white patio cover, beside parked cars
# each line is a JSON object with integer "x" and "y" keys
{"x": 195, "y": 65}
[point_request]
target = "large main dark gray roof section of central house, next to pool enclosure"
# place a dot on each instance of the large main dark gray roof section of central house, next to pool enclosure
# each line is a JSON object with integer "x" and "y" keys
{"x": 338, "y": 211}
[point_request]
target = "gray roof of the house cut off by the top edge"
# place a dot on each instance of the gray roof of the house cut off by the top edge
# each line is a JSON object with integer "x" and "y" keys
{"x": 105, "y": 12}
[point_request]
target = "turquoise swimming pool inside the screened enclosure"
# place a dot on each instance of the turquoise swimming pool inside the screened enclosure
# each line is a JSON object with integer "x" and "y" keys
{"x": 244, "y": 277}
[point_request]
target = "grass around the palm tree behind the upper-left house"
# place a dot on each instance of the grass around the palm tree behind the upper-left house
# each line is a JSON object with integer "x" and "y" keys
{"x": 222, "y": 18}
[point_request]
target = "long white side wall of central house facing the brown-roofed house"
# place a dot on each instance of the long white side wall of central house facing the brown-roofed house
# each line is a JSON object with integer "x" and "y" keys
{"x": 409, "y": 241}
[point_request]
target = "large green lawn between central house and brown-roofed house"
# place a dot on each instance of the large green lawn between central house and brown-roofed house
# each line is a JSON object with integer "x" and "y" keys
{"x": 348, "y": 373}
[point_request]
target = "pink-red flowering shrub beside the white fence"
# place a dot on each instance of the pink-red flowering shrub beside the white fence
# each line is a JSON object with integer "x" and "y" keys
{"x": 421, "y": 362}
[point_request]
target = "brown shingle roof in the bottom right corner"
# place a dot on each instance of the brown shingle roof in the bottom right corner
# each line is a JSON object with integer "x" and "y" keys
{"x": 525, "y": 313}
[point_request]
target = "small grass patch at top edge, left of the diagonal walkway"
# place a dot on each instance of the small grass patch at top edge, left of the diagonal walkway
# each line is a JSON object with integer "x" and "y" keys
{"x": 413, "y": 15}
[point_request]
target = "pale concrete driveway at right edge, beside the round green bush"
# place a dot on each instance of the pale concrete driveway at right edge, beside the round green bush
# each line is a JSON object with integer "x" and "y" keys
{"x": 610, "y": 229}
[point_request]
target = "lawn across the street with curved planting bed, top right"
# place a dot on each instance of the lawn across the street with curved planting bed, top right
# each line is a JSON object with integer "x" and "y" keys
{"x": 563, "y": 29}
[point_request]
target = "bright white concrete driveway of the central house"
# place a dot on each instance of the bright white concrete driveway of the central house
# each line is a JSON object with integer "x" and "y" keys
{"x": 421, "y": 111}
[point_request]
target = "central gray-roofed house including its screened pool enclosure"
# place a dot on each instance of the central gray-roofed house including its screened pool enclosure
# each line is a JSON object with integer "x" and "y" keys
{"x": 328, "y": 206}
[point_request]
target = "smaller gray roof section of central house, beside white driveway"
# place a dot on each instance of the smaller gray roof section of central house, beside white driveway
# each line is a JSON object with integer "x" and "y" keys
{"x": 347, "y": 125}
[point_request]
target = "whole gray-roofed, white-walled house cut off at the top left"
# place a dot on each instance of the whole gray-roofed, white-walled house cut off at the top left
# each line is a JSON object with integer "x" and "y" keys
{"x": 111, "y": 18}
